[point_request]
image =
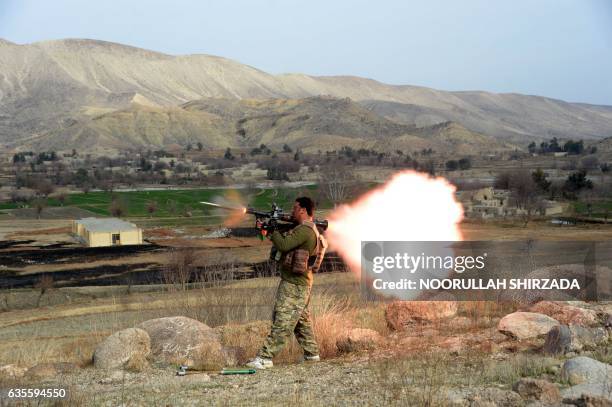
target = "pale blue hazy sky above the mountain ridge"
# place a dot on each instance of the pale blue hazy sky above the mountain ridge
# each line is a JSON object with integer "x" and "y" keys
{"x": 555, "y": 48}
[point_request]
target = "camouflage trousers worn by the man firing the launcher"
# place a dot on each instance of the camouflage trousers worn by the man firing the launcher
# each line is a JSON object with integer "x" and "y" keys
{"x": 291, "y": 315}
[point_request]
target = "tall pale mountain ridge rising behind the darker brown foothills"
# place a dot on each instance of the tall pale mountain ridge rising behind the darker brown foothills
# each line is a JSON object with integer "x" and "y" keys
{"x": 47, "y": 83}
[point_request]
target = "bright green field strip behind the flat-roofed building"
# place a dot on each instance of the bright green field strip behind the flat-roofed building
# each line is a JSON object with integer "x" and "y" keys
{"x": 176, "y": 203}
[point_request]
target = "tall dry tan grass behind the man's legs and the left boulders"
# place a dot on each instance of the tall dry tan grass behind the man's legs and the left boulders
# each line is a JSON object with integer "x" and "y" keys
{"x": 49, "y": 333}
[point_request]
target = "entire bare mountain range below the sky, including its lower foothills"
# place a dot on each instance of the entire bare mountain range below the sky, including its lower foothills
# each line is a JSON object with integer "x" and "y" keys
{"x": 83, "y": 90}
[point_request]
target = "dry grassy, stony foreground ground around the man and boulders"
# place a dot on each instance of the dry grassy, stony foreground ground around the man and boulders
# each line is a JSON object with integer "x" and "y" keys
{"x": 434, "y": 364}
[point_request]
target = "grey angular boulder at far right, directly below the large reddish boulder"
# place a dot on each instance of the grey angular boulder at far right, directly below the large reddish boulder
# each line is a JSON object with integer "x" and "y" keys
{"x": 563, "y": 339}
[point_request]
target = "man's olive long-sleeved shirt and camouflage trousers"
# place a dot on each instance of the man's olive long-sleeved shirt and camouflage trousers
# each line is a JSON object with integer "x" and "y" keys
{"x": 291, "y": 310}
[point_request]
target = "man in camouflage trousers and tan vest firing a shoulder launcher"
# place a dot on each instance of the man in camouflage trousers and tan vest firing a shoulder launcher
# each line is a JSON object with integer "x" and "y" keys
{"x": 291, "y": 309}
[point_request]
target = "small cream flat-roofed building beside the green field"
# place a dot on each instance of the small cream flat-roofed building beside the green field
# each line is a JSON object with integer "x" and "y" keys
{"x": 99, "y": 232}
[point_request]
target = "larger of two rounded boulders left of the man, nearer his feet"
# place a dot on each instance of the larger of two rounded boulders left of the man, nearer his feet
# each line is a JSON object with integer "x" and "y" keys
{"x": 182, "y": 340}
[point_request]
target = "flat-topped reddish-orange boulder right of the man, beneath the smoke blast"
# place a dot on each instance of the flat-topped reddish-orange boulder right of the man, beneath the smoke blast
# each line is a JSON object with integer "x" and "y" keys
{"x": 401, "y": 313}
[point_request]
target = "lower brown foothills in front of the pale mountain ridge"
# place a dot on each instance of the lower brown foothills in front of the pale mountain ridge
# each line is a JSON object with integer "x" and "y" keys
{"x": 312, "y": 124}
